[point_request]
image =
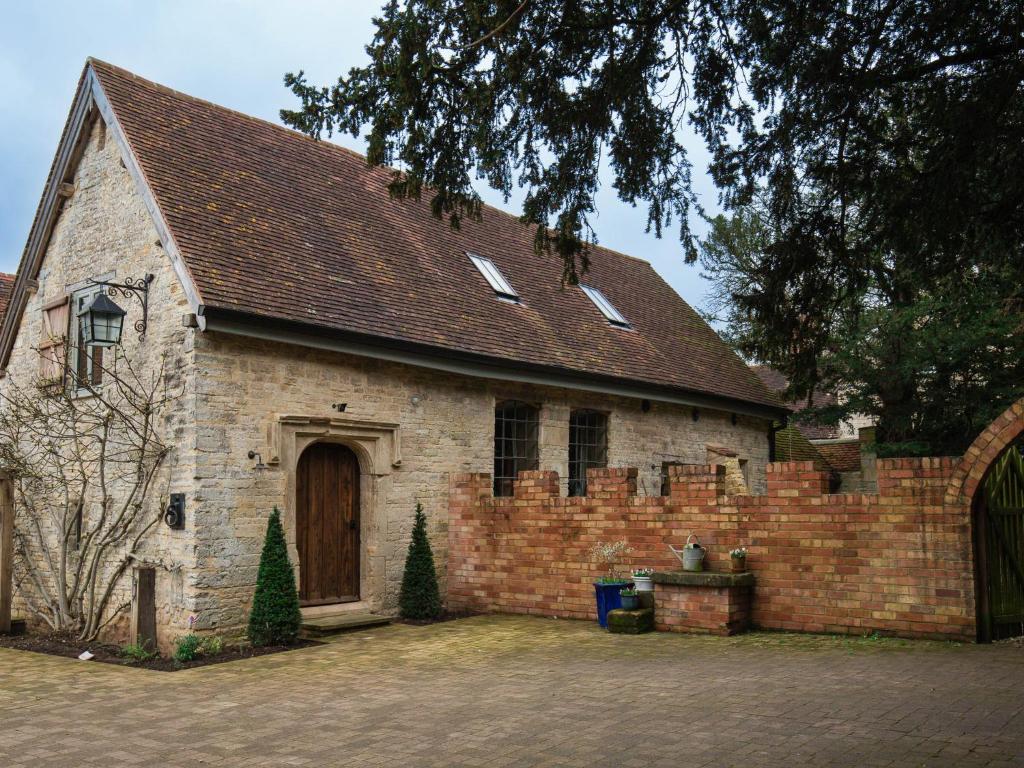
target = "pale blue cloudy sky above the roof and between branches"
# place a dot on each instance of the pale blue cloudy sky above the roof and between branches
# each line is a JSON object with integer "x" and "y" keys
{"x": 234, "y": 53}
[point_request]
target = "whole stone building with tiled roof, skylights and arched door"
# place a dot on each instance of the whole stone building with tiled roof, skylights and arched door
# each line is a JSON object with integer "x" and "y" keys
{"x": 339, "y": 353}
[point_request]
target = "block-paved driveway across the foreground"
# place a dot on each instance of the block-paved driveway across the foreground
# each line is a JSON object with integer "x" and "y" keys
{"x": 523, "y": 692}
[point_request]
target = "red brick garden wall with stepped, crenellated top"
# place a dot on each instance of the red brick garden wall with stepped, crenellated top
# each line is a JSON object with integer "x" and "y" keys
{"x": 899, "y": 562}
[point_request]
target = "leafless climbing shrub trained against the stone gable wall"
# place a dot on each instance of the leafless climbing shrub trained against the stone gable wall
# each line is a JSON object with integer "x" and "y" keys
{"x": 84, "y": 473}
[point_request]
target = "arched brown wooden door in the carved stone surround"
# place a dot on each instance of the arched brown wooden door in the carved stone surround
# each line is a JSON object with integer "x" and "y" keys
{"x": 327, "y": 523}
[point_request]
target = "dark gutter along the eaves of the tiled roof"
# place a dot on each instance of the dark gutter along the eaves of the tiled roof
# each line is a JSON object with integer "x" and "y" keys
{"x": 466, "y": 364}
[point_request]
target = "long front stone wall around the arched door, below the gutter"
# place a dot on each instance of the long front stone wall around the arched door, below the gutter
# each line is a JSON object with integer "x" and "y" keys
{"x": 445, "y": 423}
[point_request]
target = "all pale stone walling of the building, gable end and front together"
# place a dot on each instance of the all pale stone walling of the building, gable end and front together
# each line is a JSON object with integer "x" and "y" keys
{"x": 234, "y": 395}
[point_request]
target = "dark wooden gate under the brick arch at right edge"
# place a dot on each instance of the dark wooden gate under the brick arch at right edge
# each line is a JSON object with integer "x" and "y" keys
{"x": 1000, "y": 548}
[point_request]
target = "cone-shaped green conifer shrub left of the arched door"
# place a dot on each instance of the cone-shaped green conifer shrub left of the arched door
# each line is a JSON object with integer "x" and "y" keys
{"x": 275, "y": 619}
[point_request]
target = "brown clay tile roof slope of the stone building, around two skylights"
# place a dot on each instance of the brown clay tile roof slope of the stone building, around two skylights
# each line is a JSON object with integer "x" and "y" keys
{"x": 276, "y": 225}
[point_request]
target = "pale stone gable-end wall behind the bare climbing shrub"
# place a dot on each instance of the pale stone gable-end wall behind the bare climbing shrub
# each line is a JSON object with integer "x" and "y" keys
{"x": 105, "y": 232}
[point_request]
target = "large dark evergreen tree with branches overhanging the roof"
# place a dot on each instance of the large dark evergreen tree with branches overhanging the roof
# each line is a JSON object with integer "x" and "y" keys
{"x": 887, "y": 137}
